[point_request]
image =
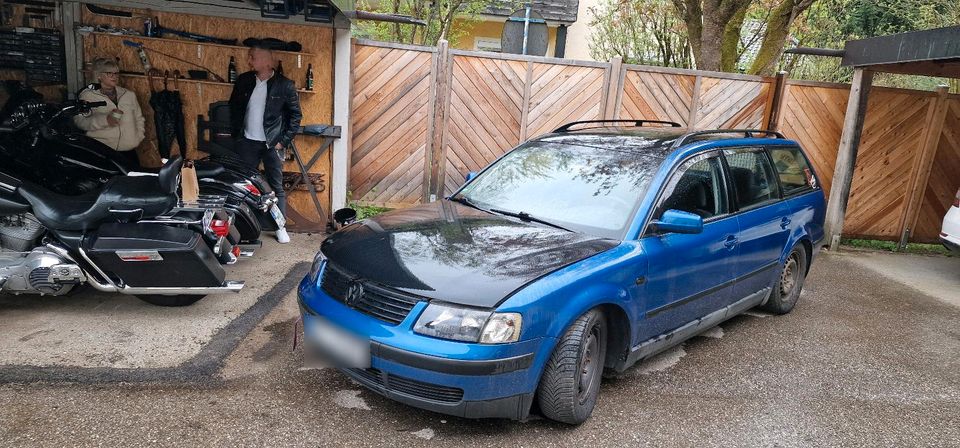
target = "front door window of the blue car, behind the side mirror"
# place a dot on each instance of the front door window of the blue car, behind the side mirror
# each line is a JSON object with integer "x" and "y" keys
{"x": 698, "y": 187}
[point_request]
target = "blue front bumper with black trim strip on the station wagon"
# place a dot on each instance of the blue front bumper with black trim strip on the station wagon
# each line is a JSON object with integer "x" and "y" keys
{"x": 455, "y": 378}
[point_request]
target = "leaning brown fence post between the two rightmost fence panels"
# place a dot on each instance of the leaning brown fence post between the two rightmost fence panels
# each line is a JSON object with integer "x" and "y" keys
{"x": 923, "y": 163}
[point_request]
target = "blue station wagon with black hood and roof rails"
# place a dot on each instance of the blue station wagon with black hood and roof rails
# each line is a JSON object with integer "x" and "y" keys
{"x": 589, "y": 248}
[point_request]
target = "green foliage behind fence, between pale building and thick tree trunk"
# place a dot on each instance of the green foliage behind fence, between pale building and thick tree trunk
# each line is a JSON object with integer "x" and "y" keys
{"x": 645, "y": 32}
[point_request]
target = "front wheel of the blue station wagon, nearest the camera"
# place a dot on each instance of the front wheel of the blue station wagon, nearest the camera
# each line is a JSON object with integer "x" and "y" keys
{"x": 570, "y": 384}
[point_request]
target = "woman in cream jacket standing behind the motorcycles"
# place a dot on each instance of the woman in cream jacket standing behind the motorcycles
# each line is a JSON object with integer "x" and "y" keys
{"x": 119, "y": 124}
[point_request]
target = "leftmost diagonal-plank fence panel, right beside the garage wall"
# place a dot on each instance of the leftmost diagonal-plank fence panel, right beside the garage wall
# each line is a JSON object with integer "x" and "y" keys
{"x": 390, "y": 113}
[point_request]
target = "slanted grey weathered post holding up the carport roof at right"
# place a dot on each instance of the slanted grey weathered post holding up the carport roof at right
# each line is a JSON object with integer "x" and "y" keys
{"x": 847, "y": 155}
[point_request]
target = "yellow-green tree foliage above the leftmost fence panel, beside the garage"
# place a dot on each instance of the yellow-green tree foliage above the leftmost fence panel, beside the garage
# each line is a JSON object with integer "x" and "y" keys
{"x": 446, "y": 19}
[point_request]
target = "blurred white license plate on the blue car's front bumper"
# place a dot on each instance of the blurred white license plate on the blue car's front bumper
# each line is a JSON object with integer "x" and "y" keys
{"x": 339, "y": 346}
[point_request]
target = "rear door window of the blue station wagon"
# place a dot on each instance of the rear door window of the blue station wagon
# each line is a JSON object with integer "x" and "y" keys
{"x": 752, "y": 176}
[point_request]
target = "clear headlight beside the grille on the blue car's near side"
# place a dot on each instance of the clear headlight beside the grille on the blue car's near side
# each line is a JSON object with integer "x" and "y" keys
{"x": 468, "y": 324}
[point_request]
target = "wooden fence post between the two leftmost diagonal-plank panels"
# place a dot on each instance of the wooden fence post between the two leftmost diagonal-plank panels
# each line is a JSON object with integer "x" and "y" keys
{"x": 440, "y": 95}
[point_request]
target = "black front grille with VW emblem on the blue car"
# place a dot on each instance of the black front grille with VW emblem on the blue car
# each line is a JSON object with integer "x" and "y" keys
{"x": 382, "y": 303}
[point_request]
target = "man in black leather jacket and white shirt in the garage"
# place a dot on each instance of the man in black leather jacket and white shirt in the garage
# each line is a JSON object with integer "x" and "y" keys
{"x": 265, "y": 116}
